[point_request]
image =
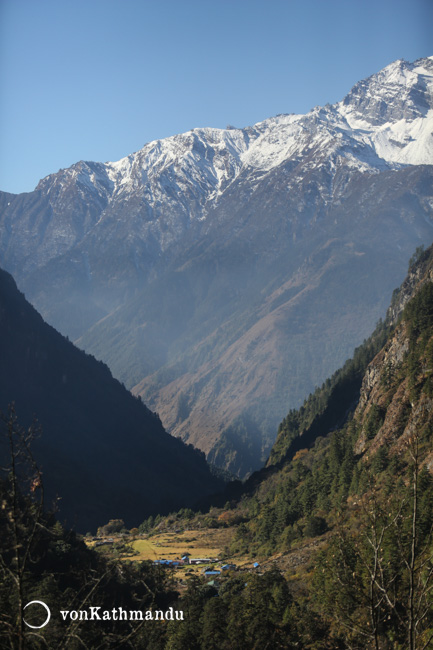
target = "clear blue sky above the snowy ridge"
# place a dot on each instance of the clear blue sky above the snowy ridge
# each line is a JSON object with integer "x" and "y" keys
{"x": 97, "y": 79}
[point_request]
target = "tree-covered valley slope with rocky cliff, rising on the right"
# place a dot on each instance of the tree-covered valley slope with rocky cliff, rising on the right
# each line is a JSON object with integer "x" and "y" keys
{"x": 344, "y": 509}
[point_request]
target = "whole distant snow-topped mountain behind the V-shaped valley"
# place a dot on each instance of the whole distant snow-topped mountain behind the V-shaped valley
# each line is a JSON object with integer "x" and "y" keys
{"x": 222, "y": 274}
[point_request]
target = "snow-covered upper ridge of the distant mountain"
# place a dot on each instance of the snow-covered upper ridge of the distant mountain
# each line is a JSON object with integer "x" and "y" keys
{"x": 385, "y": 121}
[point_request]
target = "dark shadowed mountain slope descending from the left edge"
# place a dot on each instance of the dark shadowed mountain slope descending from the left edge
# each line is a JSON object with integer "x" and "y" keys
{"x": 101, "y": 450}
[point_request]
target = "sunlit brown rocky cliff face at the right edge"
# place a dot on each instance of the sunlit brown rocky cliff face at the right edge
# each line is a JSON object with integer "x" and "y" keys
{"x": 396, "y": 397}
